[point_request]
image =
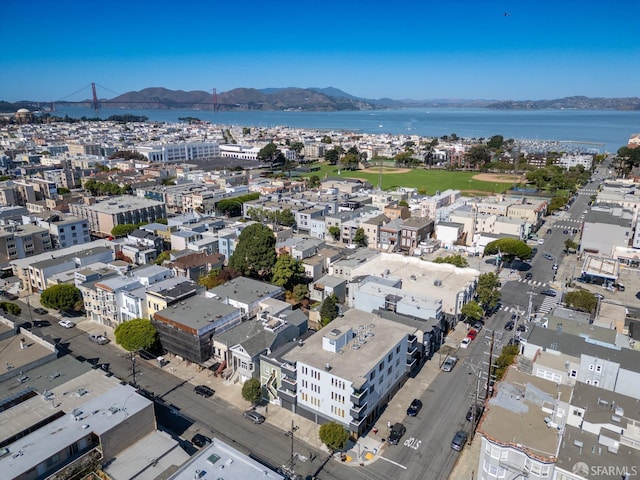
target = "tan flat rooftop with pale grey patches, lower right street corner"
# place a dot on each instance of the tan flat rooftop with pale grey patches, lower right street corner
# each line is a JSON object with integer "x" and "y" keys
{"x": 515, "y": 414}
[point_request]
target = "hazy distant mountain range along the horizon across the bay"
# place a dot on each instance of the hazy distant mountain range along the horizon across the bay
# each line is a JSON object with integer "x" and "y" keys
{"x": 322, "y": 99}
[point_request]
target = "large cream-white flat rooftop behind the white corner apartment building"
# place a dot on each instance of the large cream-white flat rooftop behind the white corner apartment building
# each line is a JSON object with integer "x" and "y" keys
{"x": 419, "y": 277}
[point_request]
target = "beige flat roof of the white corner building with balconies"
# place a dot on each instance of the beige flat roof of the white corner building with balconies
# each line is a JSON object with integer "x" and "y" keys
{"x": 352, "y": 364}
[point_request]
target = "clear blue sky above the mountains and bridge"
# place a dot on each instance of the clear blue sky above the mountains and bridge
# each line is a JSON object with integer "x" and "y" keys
{"x": 416, "y": 49}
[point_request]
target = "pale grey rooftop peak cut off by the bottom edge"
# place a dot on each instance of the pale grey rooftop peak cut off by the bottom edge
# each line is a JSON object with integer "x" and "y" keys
{"x": 219, "y": 460}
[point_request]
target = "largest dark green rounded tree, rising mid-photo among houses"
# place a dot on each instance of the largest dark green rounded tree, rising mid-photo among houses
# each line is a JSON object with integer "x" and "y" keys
{"x": 255, "y": 253}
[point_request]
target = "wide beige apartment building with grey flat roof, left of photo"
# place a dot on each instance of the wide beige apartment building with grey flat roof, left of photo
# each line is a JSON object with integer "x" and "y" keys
{"x": 106, "y": 214}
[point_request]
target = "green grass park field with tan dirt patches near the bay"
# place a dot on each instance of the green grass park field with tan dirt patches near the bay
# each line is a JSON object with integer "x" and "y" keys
{"x": 429, "y": 180}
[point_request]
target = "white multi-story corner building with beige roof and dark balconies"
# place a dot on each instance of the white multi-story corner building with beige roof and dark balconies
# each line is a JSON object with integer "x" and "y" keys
{"x": 349, "y": 370}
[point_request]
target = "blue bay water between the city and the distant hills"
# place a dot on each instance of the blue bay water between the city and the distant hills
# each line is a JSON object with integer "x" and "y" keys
{"x": 604, "y": 130}
